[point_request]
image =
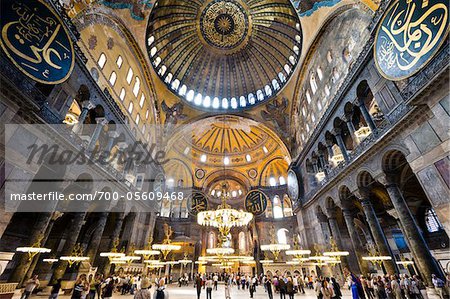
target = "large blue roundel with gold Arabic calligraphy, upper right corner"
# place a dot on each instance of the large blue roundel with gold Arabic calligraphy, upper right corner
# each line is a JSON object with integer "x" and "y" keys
{"x": 409, "y": 35}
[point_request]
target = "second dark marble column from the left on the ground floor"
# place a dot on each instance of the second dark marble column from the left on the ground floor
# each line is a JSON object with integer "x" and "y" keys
{"x": 73, "y": 230}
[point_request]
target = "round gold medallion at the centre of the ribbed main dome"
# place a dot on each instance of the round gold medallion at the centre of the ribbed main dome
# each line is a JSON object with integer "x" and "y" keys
{"x": 224, "y": 24}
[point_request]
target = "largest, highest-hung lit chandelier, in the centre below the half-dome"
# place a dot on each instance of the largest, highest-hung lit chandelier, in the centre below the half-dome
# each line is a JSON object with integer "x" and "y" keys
{"x": 224, "y": 217}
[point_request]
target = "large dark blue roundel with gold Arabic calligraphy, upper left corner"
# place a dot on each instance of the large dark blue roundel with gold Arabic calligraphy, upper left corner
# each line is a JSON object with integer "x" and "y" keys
{"x": 35, "y": 40}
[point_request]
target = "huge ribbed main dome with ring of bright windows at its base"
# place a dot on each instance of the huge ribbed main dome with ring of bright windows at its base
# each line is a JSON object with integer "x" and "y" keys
{"x": 224, "y": 54}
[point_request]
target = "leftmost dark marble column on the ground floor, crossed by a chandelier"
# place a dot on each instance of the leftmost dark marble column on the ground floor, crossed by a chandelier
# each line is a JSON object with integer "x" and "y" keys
{"x": 23, "y": 261}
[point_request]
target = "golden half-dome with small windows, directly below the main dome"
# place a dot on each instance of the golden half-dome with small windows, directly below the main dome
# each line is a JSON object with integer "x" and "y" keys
{"x": 227, "y": 146}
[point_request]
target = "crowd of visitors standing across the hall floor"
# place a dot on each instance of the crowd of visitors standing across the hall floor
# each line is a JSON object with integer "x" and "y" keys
{"x": 284, "y": 285}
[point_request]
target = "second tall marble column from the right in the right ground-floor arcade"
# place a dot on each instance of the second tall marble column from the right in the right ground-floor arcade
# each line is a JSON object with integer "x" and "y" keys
{"x": 377, "y": 232}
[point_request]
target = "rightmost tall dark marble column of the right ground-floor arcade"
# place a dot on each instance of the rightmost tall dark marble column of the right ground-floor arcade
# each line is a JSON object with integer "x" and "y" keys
{"x": 422, "y": 255}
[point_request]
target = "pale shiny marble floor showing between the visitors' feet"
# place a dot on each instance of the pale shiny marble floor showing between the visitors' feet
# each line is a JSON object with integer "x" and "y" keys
{"x": 176, "y": 292}
